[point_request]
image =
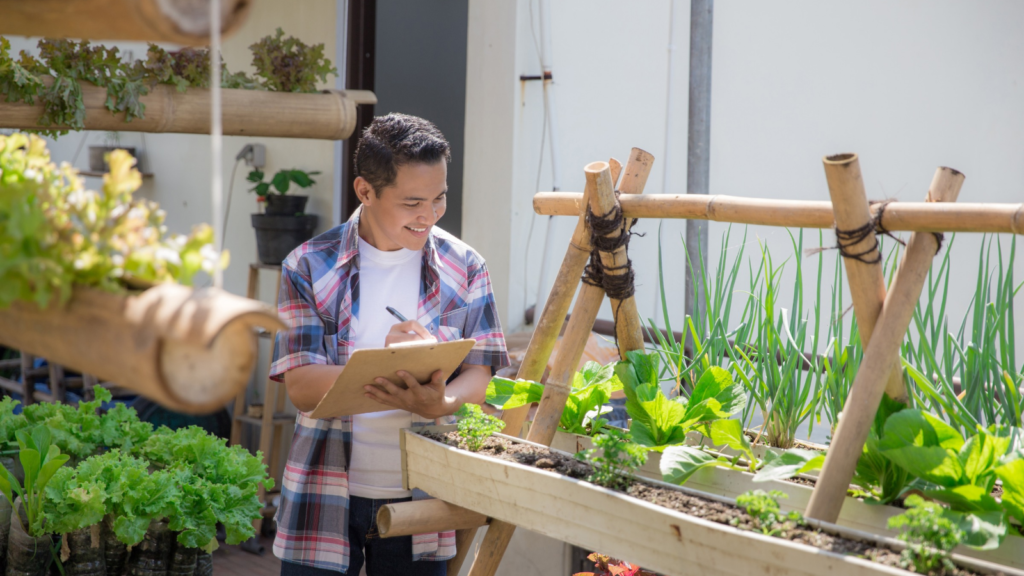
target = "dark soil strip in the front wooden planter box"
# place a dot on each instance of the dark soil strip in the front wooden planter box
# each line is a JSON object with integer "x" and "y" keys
{"x": 692, "y": 506}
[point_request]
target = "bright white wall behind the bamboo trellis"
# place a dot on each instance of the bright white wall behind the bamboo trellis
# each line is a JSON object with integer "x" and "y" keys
{"x": 909, "y": 87}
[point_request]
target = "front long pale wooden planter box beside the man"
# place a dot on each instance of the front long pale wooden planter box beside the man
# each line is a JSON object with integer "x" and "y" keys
{"x": 598, "y": 519}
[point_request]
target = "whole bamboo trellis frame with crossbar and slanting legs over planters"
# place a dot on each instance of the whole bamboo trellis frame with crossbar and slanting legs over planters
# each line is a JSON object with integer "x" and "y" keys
{"x": 881, "y": 353}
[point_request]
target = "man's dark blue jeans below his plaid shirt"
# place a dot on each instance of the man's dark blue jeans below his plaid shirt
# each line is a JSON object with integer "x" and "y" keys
{"x": 383, "y": 557}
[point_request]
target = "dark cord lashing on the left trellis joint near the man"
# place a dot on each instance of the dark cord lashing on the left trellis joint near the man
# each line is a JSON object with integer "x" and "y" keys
{"x": 617, "y": 286}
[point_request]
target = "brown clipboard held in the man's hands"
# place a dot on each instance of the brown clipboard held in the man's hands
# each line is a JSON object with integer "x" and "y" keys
{"x": 347, "y": 397}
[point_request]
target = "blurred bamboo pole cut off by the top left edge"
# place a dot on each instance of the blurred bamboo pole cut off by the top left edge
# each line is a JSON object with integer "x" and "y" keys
{"x": 180, "y": 22}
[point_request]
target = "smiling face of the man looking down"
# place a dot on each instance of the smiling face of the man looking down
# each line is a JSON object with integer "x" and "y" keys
{"x": 404, "y": 214}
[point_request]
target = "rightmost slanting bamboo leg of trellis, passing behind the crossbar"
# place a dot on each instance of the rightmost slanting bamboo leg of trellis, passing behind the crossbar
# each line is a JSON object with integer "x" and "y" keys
{"x": 881, "y": 353}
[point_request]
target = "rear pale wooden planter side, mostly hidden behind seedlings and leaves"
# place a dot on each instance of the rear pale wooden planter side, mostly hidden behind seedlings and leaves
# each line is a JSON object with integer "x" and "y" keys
{"x": 858, "y": 515}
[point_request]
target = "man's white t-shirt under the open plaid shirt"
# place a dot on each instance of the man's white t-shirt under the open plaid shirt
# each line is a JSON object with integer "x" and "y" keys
{"x": 387, "y": 279}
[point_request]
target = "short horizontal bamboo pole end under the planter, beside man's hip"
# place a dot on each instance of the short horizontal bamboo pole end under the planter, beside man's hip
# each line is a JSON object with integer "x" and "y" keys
{"x": 425, "y": 517}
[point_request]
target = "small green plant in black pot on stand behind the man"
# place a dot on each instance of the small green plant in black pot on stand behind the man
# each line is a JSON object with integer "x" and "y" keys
{"x": 283, "y": 226}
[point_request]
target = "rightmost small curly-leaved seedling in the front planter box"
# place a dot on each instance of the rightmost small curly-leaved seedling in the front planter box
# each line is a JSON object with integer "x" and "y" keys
{"x": 929, "y": 534}
